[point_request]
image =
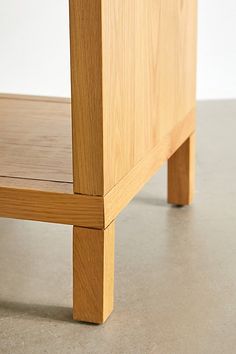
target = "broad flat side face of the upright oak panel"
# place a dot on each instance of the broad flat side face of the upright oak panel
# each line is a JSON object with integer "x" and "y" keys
{"x": 149, "y": 60}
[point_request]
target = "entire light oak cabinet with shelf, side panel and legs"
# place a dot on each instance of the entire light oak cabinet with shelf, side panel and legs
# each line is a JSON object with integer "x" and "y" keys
{"x": 133, "y": 67}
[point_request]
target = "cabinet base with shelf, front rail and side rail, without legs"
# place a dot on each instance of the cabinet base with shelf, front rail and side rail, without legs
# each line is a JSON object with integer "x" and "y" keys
{"x": 27, "y": 171}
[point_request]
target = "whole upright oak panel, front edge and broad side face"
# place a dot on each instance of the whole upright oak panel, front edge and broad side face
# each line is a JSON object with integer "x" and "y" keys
{"x": 133, "y": 81}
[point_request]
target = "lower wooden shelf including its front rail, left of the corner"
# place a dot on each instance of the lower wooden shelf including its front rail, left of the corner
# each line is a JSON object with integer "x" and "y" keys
{"x": 36, "y": 164}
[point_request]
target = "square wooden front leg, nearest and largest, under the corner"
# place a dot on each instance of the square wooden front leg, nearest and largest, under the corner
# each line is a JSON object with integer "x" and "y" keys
{"x": 93, "y": 273}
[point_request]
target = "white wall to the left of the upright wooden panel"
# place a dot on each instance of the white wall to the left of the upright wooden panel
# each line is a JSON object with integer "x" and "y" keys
{"x": 34, "y": 47}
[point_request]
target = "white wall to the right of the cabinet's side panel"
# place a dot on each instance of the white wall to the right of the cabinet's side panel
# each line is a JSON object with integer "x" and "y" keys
{"x": 217, "y": 49}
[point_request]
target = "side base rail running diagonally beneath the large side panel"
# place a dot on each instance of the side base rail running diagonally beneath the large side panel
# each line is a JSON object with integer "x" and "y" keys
{"x": 130, "y": 185}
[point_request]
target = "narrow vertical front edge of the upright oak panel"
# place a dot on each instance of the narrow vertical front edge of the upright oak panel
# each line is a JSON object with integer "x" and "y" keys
{"x": 87, "y": 102}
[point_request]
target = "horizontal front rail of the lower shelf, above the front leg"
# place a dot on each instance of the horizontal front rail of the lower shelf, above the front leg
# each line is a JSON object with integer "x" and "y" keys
{"x": 52, "y": 207}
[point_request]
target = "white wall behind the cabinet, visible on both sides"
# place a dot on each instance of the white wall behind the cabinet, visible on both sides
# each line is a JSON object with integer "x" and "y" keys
{"x": 34, "y": 48}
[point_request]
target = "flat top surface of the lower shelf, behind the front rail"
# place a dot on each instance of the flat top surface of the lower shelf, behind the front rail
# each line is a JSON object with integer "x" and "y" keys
{"x": 35, "y": 138}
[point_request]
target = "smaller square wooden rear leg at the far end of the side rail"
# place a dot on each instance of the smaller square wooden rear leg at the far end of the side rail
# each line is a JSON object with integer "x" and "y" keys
{"x": 181, "y": 174}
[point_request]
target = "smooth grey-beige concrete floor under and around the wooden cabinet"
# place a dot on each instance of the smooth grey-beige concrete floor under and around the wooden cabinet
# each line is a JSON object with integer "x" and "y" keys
{"x": 175, "y": 268}
